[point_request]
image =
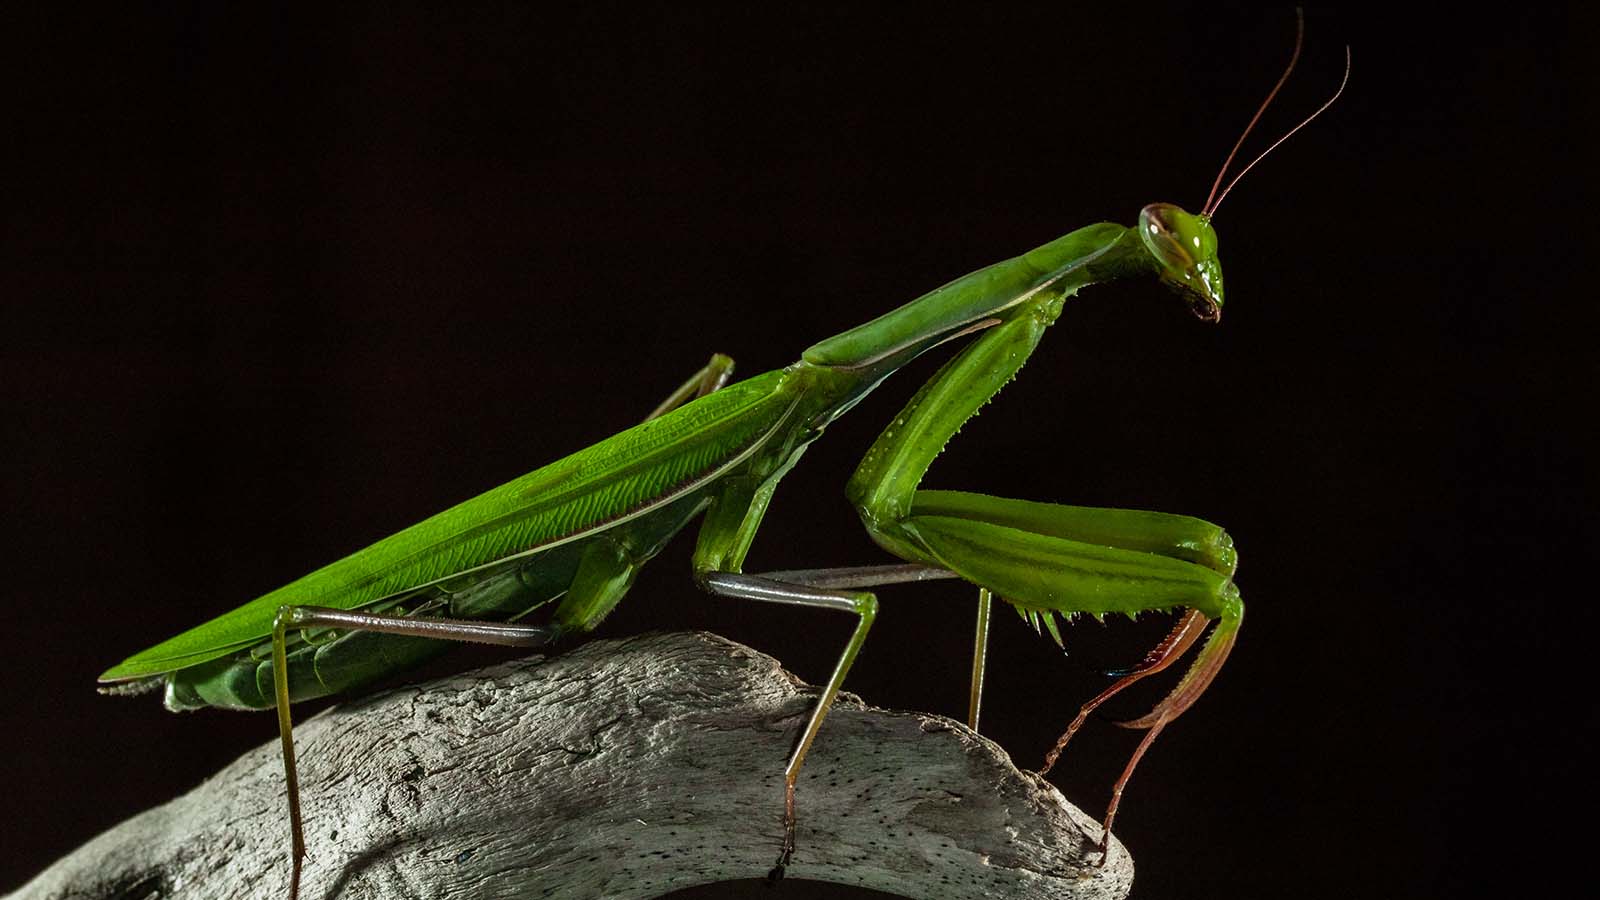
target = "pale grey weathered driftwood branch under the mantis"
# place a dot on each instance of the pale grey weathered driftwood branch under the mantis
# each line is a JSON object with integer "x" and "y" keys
{"x": 622, "y": 769}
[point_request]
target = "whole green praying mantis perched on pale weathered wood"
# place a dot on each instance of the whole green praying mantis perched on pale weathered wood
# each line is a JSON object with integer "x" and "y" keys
{"x": 577, "y": 532}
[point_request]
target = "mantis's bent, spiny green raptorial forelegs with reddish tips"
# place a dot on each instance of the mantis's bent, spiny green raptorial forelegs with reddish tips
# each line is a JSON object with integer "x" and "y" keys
{"x": 1046, "y": 560}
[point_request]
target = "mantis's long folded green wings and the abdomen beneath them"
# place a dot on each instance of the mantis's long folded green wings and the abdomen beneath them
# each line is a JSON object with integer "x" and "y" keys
{"x": 495, "y": 556}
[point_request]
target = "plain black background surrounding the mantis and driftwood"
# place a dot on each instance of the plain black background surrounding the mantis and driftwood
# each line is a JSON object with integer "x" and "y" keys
{"x": 279, "y": 284}
